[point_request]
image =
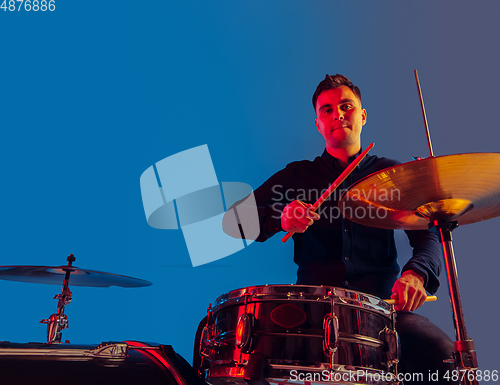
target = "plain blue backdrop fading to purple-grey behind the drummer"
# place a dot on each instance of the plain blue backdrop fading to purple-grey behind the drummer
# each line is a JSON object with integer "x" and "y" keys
{"x": 95, "y": 92}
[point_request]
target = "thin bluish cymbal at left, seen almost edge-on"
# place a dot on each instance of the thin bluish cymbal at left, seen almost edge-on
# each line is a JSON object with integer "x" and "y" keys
{"x": 79, "y": 277}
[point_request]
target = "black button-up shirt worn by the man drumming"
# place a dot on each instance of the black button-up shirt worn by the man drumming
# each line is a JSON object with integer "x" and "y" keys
{"x": 335, "y": 251}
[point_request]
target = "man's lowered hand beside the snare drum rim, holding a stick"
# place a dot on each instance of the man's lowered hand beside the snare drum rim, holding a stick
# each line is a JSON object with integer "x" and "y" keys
{"x": 409, "y": 291}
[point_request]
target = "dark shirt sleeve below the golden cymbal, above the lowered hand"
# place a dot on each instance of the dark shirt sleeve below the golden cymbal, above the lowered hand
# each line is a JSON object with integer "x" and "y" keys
{"x": 426, "y": 259}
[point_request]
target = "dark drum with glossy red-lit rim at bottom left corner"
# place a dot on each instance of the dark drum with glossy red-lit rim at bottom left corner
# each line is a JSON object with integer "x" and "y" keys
{"x": 124, "y": 363}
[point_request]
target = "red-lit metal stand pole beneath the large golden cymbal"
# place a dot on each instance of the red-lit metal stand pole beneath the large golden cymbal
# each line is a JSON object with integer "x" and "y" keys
{"x": 465, "y": 354}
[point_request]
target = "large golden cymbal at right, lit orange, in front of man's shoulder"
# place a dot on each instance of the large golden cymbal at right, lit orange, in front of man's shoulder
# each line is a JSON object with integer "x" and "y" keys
{"x": 464, "y": 188}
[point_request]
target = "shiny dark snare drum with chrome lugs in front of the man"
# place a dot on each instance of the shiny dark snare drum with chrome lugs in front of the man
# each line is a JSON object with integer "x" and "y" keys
{"x": 299, "y": 334}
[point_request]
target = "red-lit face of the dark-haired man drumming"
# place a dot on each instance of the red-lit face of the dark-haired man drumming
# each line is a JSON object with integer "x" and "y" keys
{"x": 340, "y": 118}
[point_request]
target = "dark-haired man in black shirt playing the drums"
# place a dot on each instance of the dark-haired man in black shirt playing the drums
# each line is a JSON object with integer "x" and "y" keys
{"x": 333, "y": 251}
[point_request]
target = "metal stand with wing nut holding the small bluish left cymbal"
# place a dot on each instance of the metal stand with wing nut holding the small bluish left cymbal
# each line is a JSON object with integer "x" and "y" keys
{"x": 57, "y": 322}
